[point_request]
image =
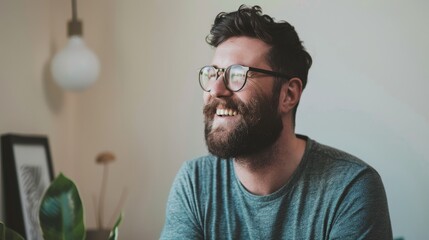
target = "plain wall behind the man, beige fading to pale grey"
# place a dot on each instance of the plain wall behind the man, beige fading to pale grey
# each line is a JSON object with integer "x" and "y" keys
{"x": 366, "y": 94}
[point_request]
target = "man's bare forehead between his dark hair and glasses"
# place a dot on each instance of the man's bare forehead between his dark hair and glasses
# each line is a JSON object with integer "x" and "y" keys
{"x": 246, "y": 51}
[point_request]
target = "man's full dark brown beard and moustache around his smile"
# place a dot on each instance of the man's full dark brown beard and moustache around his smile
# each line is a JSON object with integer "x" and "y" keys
{"x": 258, "y": 128}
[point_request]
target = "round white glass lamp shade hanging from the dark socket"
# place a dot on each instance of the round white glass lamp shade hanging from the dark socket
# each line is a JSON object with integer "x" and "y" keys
{"x": 75, "y": 67}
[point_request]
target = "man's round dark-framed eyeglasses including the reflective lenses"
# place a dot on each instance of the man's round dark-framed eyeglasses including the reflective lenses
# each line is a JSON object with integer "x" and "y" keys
{"x": 234, "y": 76}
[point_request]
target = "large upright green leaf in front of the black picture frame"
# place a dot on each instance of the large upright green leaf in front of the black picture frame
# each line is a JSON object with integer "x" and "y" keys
{"x": 61, "y": 211}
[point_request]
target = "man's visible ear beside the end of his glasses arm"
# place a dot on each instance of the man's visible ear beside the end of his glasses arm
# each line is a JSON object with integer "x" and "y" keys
{"x": 290, "y": 94}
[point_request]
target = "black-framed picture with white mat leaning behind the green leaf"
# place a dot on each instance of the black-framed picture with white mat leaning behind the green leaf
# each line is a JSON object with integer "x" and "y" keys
{"x": 27, "y": 173}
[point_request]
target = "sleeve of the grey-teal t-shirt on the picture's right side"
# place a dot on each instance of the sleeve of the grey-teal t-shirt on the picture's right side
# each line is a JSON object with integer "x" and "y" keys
{"x": 363, "y": 211}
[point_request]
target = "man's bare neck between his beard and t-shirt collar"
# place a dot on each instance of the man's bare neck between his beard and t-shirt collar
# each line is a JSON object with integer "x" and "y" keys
{"x": 267, "y": 171}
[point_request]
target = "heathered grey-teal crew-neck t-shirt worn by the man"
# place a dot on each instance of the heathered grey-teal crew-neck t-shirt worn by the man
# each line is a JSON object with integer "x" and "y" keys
{"x": 331, "y": 195}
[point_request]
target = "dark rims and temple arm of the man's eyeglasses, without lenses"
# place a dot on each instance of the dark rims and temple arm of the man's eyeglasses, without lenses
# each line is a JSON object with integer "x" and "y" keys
{"x": 247, "y": 69}
